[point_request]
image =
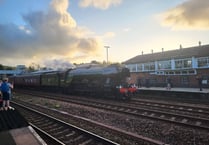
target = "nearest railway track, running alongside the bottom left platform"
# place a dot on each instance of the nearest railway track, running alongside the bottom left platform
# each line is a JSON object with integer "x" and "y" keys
{"x": 61, "y": 132}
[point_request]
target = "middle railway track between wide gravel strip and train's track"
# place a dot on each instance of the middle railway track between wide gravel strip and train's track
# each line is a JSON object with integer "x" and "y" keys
{"x": 165, "y": 115}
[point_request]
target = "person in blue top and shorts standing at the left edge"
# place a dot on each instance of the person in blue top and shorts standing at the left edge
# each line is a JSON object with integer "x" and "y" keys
{"x": 5, "y": 93}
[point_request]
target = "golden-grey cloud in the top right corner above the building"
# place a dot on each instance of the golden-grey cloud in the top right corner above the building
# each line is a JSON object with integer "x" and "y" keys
{"x": 192, "y": 14}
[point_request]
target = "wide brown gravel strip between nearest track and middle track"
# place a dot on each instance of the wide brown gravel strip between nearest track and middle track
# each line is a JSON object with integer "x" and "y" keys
{"x": 163, "y": 131}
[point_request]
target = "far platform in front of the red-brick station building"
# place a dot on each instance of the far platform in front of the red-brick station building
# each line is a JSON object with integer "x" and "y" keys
{"x": 182, "y": 94}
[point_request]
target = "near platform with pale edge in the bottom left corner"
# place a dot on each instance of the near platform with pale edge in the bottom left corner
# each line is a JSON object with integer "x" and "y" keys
{"x": 15, "y": 130}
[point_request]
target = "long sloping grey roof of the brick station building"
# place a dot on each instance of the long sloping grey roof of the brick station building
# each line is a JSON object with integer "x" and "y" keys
{"x": 197, "y": 51}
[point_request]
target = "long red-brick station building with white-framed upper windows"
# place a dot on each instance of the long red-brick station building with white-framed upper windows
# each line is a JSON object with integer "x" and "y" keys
{"x": 183, "y": 67}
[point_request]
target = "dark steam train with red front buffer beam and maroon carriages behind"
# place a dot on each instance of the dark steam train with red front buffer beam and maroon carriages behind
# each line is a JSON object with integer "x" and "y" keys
{"x": 99, "y": 81}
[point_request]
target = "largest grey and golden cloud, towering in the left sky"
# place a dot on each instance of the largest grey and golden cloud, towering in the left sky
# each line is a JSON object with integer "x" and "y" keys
{"x": 46, "y": 34}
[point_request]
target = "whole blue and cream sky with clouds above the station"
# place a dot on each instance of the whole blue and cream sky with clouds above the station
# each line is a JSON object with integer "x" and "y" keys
{"x": 63, "y": 32}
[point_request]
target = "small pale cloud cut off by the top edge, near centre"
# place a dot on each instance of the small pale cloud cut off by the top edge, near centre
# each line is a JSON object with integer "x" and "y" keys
{"x": 100, "y": 4}
